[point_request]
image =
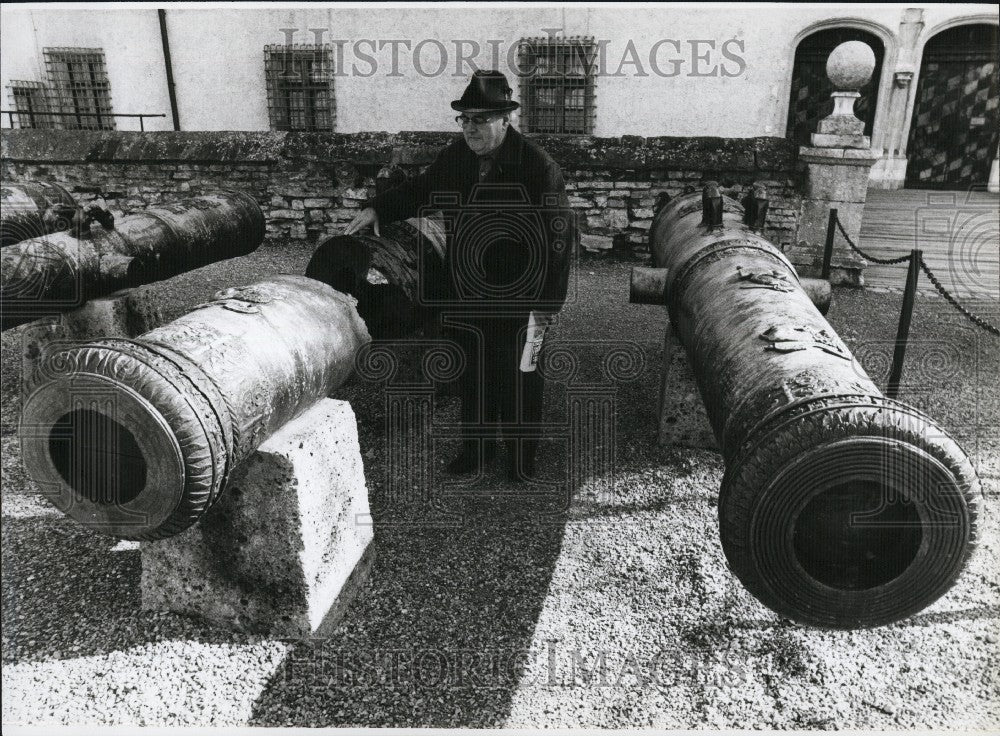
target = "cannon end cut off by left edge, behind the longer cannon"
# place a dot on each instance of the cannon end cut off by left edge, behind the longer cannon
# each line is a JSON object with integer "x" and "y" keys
{"x": 32, "y": 209}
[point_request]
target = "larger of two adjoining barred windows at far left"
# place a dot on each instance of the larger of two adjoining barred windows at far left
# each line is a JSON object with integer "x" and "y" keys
{"x": 79, "y": 88}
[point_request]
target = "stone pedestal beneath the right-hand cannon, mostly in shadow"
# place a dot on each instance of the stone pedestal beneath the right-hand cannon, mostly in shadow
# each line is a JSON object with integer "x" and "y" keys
{"x": 682, "y": 418}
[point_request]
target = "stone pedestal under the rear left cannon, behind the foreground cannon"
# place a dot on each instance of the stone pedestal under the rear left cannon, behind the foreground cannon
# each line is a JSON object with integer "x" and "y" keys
{"x": 128, "y": 313}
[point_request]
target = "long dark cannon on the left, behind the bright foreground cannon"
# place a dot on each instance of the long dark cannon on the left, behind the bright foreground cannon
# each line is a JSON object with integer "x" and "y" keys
{"x": 61, "y": 271}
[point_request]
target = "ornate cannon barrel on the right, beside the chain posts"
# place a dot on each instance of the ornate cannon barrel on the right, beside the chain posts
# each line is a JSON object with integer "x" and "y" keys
{"x": 839, "y": 507}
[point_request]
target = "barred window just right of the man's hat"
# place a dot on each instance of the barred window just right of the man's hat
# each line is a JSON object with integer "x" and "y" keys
{"x": 557, "y": 84}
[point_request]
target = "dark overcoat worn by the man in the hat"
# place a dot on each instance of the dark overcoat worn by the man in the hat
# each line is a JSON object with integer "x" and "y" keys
{"x": 518, "y": 273}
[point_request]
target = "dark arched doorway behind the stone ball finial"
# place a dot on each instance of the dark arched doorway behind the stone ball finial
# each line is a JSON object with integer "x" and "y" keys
{"x": 810, "y": 98}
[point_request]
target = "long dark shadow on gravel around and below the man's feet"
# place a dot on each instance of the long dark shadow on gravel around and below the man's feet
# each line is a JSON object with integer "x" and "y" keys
{"x": 443, "y": 632}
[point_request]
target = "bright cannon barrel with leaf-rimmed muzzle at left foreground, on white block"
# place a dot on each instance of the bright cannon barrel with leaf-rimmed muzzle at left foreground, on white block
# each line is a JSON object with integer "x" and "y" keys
{"x": 136, "y": 438}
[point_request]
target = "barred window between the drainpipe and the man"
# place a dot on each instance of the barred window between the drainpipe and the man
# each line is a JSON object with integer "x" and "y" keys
{"x": 300, "y": 87}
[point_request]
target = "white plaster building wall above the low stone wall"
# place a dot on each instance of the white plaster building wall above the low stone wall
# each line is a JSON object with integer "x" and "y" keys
{"x": 219, "y": 69}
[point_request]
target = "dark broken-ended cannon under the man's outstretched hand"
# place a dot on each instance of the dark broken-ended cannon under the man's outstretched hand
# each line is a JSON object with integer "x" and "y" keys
{"x": 386, "y": 273}
